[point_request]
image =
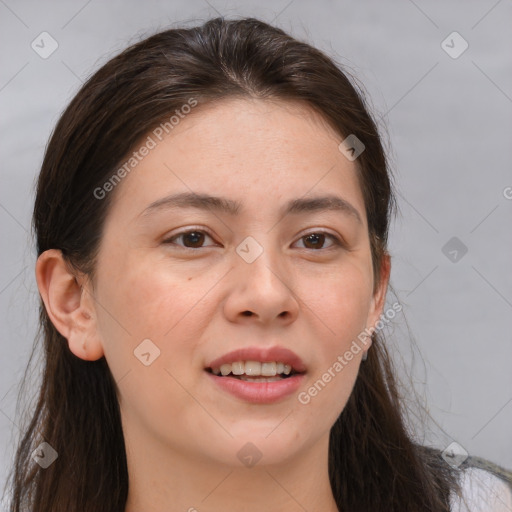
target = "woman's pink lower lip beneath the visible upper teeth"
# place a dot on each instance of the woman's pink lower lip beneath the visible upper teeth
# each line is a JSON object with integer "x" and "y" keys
{"x": 259, "y": 392}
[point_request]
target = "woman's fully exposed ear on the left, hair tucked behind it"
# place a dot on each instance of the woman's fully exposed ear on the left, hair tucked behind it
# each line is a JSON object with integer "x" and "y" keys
{"x": 69, "y": 304}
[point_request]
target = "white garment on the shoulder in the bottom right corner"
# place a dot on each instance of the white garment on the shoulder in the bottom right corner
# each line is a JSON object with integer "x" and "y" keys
{"x": 482, "y": 492}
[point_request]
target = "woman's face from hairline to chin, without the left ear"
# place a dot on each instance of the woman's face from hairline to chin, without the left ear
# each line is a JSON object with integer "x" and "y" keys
{"x": 199, "y": 280}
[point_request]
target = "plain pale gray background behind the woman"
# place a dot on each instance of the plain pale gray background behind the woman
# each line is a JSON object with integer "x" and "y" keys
{"x": 449, "y": 122}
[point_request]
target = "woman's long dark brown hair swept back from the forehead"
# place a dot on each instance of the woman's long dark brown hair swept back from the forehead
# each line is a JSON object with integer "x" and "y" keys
{"x": 373, "y": 462}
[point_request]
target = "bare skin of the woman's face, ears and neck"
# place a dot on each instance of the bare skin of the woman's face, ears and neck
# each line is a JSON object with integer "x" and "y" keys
{"x": 182, "y": 433}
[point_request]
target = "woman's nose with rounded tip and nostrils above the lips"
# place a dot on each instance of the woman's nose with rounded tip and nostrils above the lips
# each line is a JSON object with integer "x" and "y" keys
{"x": 261, "y": 292}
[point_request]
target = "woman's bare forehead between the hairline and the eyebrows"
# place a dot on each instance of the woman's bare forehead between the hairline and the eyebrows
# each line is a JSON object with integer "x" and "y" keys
{"x": 254, "y": 151}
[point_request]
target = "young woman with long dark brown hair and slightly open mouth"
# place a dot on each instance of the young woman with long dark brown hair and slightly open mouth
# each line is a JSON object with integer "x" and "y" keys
{"x": 211, "y": 219}
